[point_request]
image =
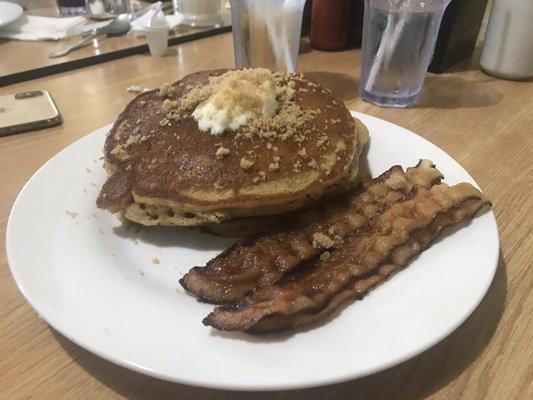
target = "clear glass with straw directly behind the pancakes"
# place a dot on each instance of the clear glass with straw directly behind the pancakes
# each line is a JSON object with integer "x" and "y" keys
{"x": 266, "y": 33}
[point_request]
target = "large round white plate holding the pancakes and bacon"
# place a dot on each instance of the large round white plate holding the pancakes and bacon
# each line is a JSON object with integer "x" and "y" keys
{"x": 96, "y": 283}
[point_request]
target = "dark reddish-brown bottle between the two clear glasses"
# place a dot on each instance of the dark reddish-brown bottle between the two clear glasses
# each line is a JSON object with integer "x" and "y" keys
{"x": 330, "y": 24}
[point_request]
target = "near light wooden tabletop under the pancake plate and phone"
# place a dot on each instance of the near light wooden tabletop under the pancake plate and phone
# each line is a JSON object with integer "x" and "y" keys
{"x": 484, "y": 123}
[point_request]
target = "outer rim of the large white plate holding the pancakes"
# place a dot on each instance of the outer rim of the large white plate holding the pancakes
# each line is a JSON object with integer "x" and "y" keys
{"x": 242, "y": 387}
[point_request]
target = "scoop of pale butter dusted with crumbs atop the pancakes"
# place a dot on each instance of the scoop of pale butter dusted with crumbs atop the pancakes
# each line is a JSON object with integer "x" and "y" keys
{"x": 233, "y": 102}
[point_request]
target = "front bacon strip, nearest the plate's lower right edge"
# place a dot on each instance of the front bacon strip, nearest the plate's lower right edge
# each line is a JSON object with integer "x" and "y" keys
{"x": 366, "y": 259}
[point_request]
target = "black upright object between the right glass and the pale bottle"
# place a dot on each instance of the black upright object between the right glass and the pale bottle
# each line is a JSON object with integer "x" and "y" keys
{"x": 458, "y": 33}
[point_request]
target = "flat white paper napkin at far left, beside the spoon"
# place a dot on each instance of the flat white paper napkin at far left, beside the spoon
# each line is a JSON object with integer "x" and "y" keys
{"x": 30, "y": 27}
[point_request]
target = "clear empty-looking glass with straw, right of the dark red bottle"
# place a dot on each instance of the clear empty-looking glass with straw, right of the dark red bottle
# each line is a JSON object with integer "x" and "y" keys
{"x": 398, "y": 41}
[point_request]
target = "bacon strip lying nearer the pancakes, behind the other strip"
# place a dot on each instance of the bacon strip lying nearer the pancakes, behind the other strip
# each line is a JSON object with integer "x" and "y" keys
{"x": 265, "y": 259}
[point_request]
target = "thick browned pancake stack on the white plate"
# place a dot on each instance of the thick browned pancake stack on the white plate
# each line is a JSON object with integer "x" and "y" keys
{"x": 164, "y": 170}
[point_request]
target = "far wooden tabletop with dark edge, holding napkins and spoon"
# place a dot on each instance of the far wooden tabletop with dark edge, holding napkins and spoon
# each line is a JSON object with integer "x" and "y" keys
{"x": 22, "y": 60}
